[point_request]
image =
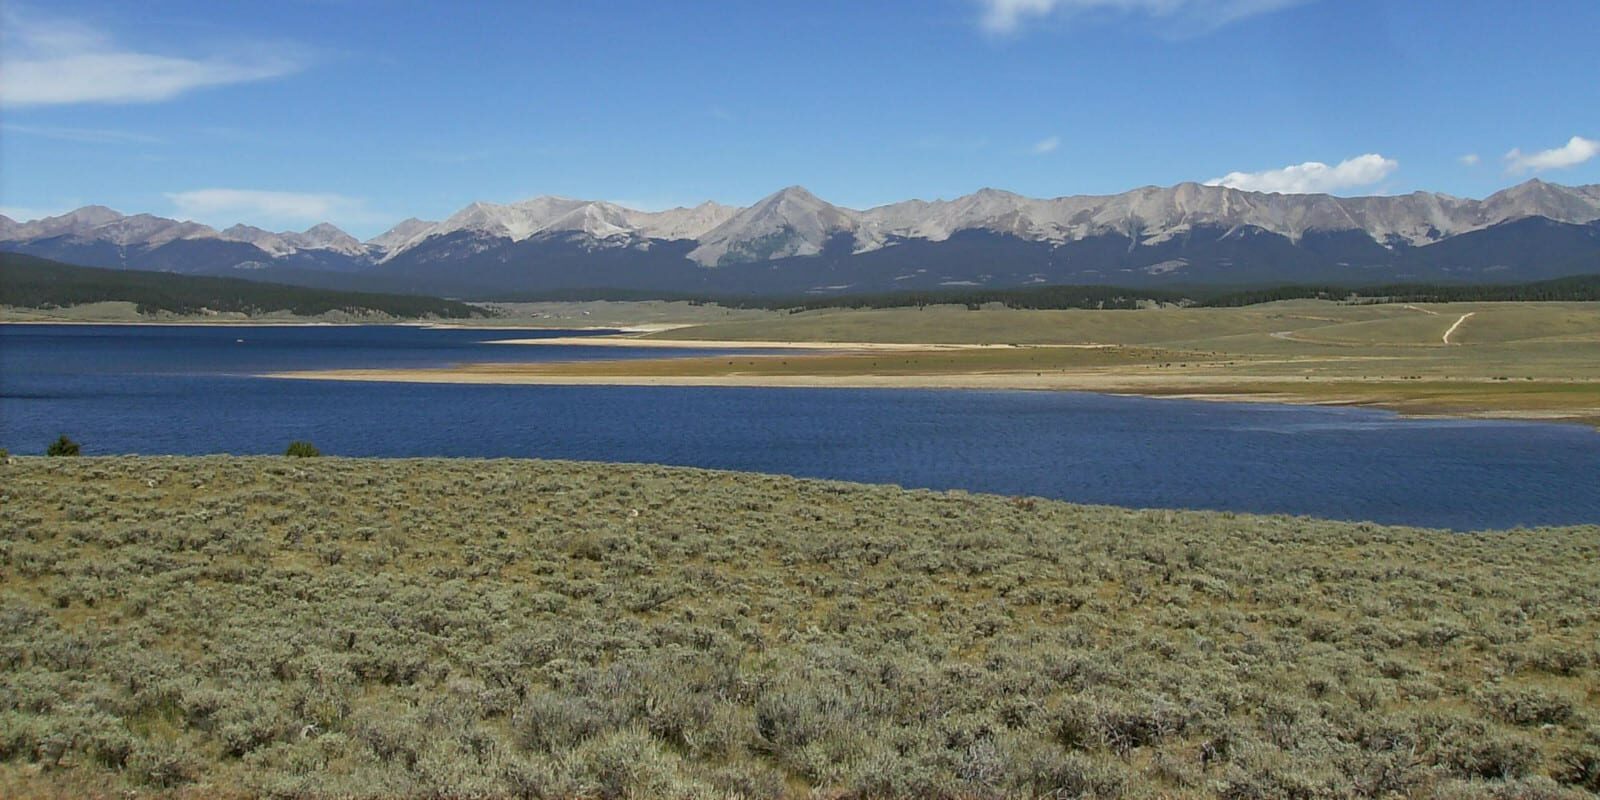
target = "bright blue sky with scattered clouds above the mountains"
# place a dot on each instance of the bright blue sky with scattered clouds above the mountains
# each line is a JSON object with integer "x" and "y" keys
{"x": 364, "y": 113}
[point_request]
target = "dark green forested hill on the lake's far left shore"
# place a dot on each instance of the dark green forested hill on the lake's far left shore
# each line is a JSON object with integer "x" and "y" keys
{"x": 42, "y": 284}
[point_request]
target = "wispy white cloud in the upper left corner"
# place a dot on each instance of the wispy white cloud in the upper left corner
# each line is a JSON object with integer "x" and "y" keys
{"x": 55, "y": 63}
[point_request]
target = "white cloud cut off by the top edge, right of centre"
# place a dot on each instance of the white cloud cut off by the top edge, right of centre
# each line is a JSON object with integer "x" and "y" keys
{"x": 1177, "y": 17}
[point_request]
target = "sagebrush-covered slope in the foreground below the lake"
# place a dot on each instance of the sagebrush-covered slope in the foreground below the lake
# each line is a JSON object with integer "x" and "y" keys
{"x": 217, "y": 628}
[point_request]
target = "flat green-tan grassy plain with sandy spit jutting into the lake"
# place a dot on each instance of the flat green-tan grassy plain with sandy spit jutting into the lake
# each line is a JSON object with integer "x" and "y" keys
{"x": 1503, "y": 359}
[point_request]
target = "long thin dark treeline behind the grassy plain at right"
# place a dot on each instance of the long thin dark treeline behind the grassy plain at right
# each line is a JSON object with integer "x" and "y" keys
{"x": 1574, "y": 289}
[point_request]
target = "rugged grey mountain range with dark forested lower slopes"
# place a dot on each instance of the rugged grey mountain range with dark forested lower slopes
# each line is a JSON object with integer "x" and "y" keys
{"x": 794, "y": 242}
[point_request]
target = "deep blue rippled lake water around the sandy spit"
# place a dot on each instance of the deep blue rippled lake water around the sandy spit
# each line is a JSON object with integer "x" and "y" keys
{"x": 193, "y": 390}
